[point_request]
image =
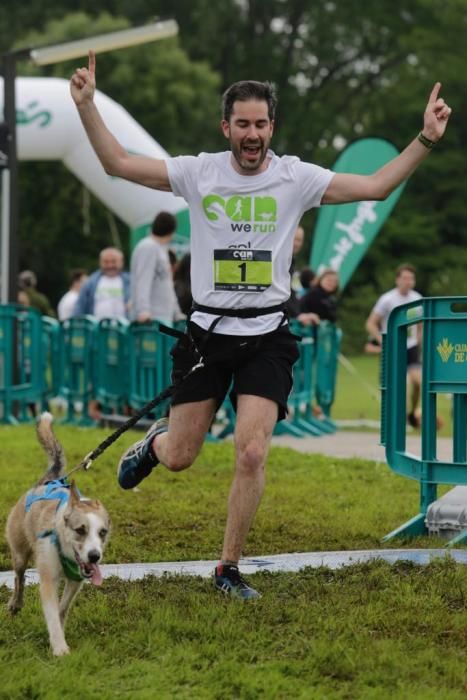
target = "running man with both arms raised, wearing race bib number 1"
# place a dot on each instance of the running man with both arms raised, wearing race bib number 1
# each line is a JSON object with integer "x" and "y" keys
{"x": 245, "y": 205}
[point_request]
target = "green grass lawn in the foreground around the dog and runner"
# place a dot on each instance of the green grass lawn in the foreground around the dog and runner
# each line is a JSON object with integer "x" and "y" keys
{"x": 365, "y": 631}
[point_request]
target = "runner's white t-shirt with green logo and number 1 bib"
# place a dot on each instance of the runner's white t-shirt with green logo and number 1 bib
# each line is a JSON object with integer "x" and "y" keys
{"x": 242, "y": 231}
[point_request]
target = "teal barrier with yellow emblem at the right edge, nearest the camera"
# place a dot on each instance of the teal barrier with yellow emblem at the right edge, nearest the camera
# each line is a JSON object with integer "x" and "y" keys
{"x": 444, "y": 371}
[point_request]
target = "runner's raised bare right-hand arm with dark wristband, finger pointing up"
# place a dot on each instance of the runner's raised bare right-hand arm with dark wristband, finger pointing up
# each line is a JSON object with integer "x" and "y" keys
{"x": 351, "y": 188}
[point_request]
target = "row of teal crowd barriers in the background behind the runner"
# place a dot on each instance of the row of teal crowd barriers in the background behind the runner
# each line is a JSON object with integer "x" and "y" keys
{"x": 124, "y": 365}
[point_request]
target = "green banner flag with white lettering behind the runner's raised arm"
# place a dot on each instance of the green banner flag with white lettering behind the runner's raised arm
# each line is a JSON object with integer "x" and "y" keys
{"x": 344, "y": 232}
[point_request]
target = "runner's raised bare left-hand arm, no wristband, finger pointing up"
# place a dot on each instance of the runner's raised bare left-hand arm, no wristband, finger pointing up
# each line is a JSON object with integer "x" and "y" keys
{"x": 115, "y": 160}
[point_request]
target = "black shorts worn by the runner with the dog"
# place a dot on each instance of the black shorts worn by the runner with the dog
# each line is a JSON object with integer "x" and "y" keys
{"x": 257, "y": 365}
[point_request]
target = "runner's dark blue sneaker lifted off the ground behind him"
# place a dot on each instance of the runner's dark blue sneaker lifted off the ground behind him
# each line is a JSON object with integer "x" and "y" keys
{"x": 139, "y": 459}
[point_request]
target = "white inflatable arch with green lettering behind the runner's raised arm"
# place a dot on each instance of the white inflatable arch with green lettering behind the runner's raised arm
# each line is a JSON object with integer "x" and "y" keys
{"x": 48, "y": 128}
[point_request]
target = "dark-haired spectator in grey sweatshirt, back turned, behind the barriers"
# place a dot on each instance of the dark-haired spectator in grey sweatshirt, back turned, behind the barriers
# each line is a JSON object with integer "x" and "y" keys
{"x": 152, "y": 289}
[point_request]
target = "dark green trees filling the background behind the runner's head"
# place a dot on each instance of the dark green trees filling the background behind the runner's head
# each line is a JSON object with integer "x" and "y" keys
{"x": 343, "y": 69}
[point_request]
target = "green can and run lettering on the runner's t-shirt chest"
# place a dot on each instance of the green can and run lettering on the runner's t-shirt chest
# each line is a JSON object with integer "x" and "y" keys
{"x": 262, "y": 211}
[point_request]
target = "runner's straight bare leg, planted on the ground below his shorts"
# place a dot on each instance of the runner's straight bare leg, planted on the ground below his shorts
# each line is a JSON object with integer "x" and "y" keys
{"x": 256, "y": 418}
